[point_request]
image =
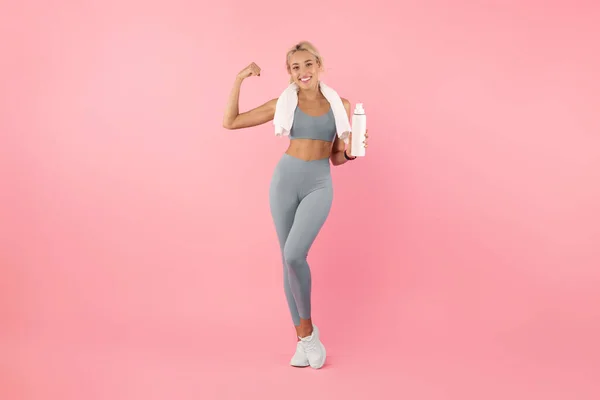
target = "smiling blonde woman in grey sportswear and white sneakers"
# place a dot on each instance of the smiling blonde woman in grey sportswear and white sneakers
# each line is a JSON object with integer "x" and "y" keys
{"x": 301, "y": 189}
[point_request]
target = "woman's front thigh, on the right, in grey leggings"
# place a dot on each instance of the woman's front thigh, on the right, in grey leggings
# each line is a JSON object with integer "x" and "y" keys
{"x": 310, "y": 216}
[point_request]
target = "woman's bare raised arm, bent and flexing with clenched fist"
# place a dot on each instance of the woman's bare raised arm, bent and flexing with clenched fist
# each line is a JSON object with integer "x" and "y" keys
{"x": 256, "y": 116}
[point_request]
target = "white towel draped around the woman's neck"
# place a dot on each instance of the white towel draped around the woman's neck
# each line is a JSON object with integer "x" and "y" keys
{"x": 288, "y": 101}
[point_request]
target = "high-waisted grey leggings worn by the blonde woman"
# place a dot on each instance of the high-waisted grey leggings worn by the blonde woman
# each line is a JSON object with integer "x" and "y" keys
{"x": 300, "y": 197}
